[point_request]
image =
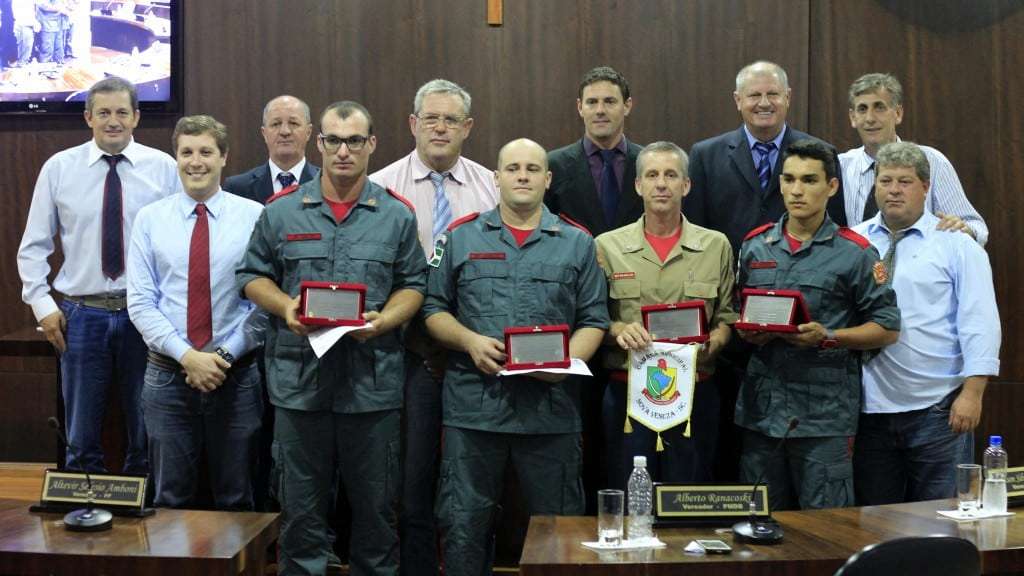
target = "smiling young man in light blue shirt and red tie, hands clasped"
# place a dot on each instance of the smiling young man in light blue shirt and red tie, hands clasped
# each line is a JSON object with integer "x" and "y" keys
{"x": 202, "y": 391}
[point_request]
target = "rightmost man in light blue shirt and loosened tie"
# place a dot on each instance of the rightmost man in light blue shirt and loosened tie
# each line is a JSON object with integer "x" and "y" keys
{"x": 923, "y": 393}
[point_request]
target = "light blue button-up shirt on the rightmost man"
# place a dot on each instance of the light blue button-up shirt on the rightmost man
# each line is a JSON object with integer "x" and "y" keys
{"x": 951, "y": 328}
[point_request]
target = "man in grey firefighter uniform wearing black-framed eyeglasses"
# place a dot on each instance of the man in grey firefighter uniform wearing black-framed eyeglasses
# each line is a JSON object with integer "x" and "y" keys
{"x": 340, "y": 412}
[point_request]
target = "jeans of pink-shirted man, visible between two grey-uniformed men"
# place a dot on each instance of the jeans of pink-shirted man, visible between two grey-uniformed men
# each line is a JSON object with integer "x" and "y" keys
{"x": 421, "y": 461}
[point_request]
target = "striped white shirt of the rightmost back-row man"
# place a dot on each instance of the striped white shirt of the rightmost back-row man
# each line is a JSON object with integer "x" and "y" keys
{"x": 946, "y": 194}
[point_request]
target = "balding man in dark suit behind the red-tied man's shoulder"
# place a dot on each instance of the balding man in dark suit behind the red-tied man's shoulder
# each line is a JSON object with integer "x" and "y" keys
{"x": 286, "y": 131}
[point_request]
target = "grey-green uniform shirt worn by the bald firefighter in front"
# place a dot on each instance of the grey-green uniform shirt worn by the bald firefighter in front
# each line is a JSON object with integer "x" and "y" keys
{"x": 488, "y": 282}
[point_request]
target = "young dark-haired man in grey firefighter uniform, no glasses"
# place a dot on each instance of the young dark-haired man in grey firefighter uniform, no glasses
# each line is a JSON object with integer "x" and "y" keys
{"x": 813, "y": 376}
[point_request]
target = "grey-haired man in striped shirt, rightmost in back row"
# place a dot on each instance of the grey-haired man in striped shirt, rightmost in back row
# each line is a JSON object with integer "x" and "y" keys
{"x": 876, "y": 110}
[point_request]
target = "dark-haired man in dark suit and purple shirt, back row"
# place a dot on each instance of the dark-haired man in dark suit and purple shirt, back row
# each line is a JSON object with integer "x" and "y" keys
{"x": 592, "y": 179}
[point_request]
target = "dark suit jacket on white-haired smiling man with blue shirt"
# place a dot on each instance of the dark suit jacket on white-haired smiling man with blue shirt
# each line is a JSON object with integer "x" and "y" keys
{"x": 727, "y": 195}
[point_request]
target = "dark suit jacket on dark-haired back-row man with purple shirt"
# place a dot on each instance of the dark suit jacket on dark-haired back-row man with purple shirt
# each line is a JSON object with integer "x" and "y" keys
{"x": 574, "y": 193}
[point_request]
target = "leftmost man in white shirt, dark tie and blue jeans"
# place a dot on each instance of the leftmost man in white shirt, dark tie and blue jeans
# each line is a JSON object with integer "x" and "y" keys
{"x": 91, "y": 195}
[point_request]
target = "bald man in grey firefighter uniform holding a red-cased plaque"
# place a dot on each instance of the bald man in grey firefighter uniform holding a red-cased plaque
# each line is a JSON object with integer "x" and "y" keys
{"x": 518, "y": 265}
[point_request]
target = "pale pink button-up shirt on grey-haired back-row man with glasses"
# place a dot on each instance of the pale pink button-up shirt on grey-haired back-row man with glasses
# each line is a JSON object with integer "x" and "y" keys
{"x": 471, "y": 189}
